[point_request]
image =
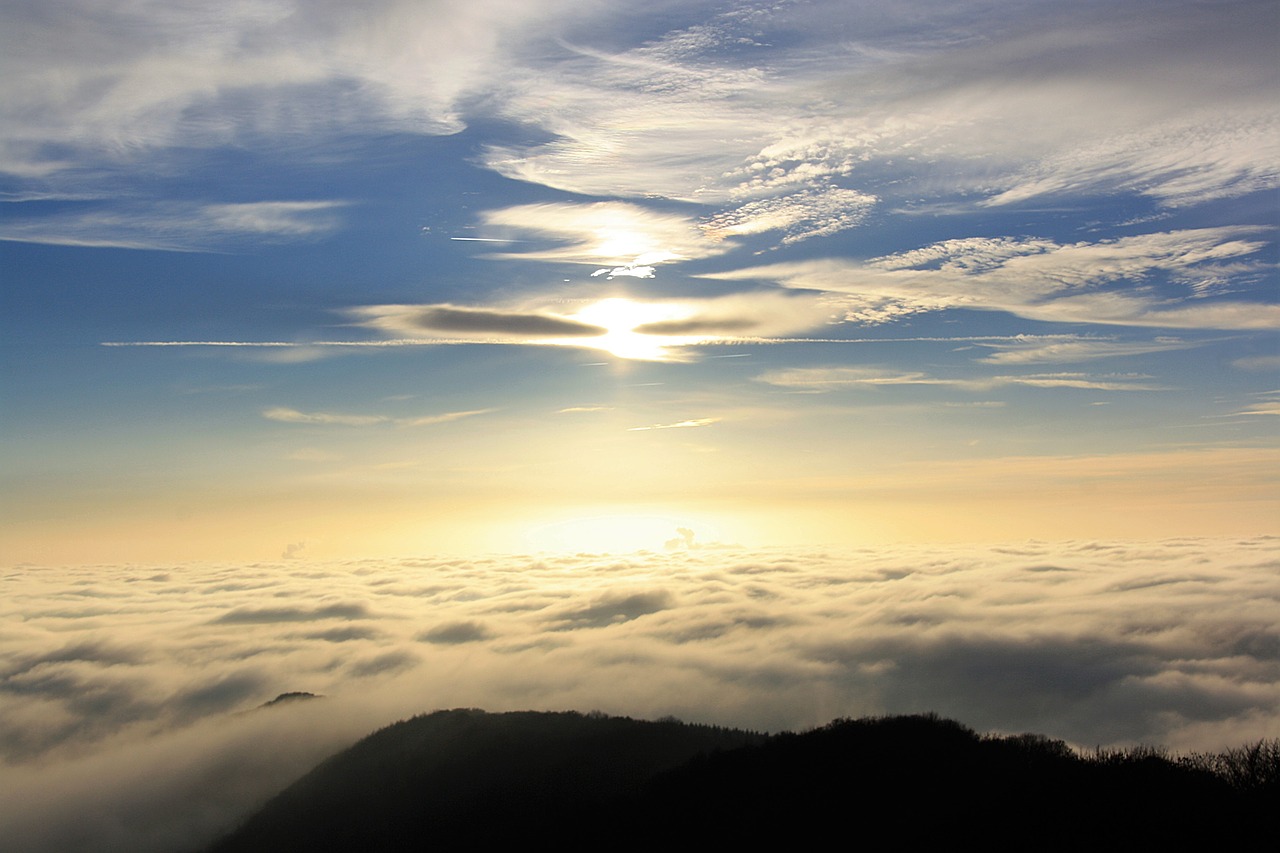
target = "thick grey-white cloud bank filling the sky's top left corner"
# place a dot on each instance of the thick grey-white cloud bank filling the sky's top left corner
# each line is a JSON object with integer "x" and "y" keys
{"x": 118, "y": 85}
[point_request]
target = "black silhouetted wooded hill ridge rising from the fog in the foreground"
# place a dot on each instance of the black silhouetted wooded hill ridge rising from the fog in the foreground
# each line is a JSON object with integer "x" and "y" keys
{"x": 473, "y": 781}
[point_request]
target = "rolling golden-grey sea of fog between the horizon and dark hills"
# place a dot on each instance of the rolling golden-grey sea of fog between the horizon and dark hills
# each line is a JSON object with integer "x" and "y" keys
{"x": 130, "y": 695}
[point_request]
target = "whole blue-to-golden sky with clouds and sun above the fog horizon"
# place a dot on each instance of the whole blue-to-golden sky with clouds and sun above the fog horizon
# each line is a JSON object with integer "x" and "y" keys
{"x": 783, "y": 272}
